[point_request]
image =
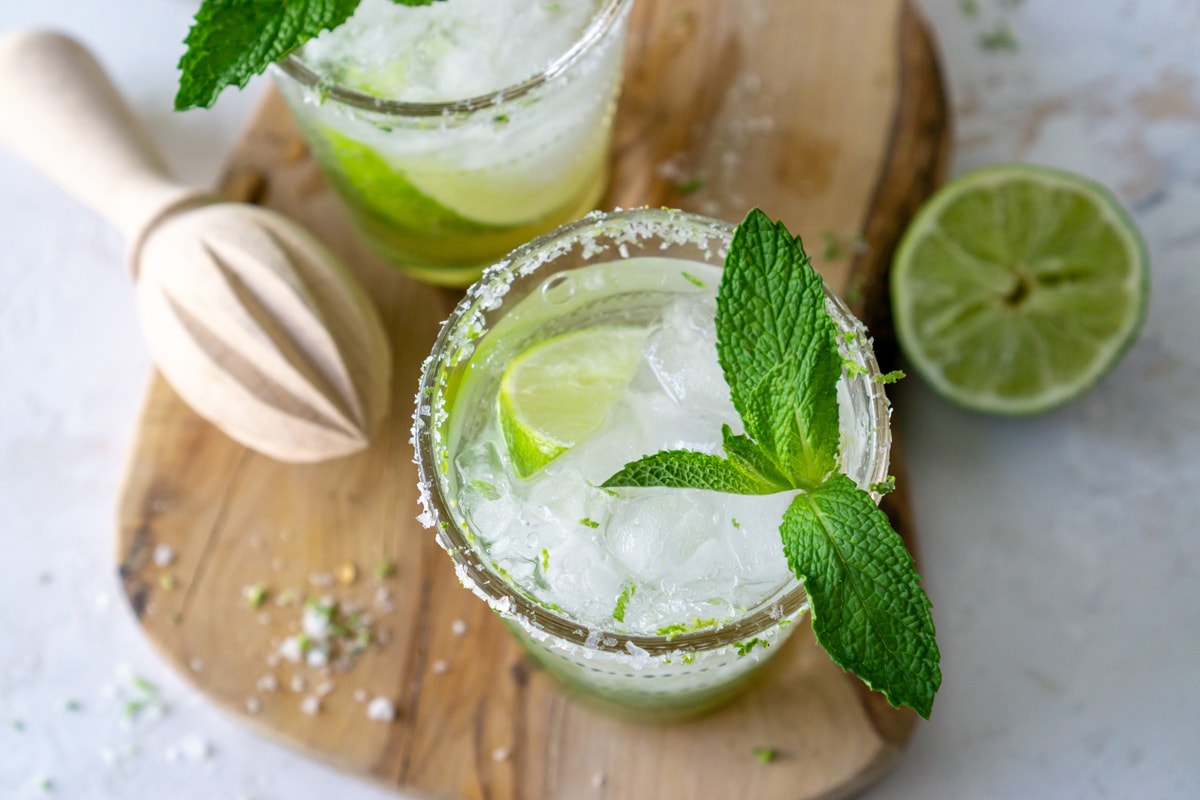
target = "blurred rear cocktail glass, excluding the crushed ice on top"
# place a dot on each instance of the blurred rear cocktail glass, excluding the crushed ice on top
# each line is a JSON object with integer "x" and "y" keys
{"x": 443, "y": 189}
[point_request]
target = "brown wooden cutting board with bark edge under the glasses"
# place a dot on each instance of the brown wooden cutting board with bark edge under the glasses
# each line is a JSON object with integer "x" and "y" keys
{"x": 825, "y": 113}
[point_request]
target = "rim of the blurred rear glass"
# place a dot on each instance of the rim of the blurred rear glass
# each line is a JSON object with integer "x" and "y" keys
{"x": 602, "y": 23}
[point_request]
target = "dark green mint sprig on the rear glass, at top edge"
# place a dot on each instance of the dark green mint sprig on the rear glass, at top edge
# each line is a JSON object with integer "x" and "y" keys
{"x": 232, "y": 41}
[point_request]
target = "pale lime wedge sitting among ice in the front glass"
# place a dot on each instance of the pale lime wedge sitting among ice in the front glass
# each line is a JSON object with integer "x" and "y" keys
{"x": 559, "y": 393}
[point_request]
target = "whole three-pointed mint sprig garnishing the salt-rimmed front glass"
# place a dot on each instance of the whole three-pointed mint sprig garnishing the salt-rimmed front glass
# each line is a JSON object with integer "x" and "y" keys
{"x": 778, "y": 348}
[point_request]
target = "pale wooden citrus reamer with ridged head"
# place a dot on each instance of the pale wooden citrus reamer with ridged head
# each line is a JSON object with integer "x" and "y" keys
{"x": 251, "y": 321}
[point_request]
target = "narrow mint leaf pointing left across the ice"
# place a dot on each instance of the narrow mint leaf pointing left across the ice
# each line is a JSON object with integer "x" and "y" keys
{"x": 685, "y": 470}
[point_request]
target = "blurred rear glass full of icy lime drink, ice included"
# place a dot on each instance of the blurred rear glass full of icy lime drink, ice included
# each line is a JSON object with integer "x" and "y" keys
{"x": 457, "y": 131}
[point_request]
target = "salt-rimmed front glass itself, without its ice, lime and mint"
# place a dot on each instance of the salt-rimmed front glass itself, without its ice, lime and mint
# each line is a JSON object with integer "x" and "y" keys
{"x": 541, "y": 292}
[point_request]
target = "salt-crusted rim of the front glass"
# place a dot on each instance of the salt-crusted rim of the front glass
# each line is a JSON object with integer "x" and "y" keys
{"x": 470, "y": 567}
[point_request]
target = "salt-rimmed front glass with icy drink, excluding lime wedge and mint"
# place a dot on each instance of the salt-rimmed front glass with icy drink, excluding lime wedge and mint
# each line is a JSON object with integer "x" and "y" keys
{"x": 662, "y": 603}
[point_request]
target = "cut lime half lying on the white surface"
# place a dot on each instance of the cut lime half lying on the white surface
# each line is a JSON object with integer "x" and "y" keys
{"x": 1016, "y": 288}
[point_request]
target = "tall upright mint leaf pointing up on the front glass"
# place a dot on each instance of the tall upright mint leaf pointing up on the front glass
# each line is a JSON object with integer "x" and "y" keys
{"x": 778, "y": 350}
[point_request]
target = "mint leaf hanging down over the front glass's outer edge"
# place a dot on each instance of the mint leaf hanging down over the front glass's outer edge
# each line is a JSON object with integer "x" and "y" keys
{"x": 869, "y": 612}
